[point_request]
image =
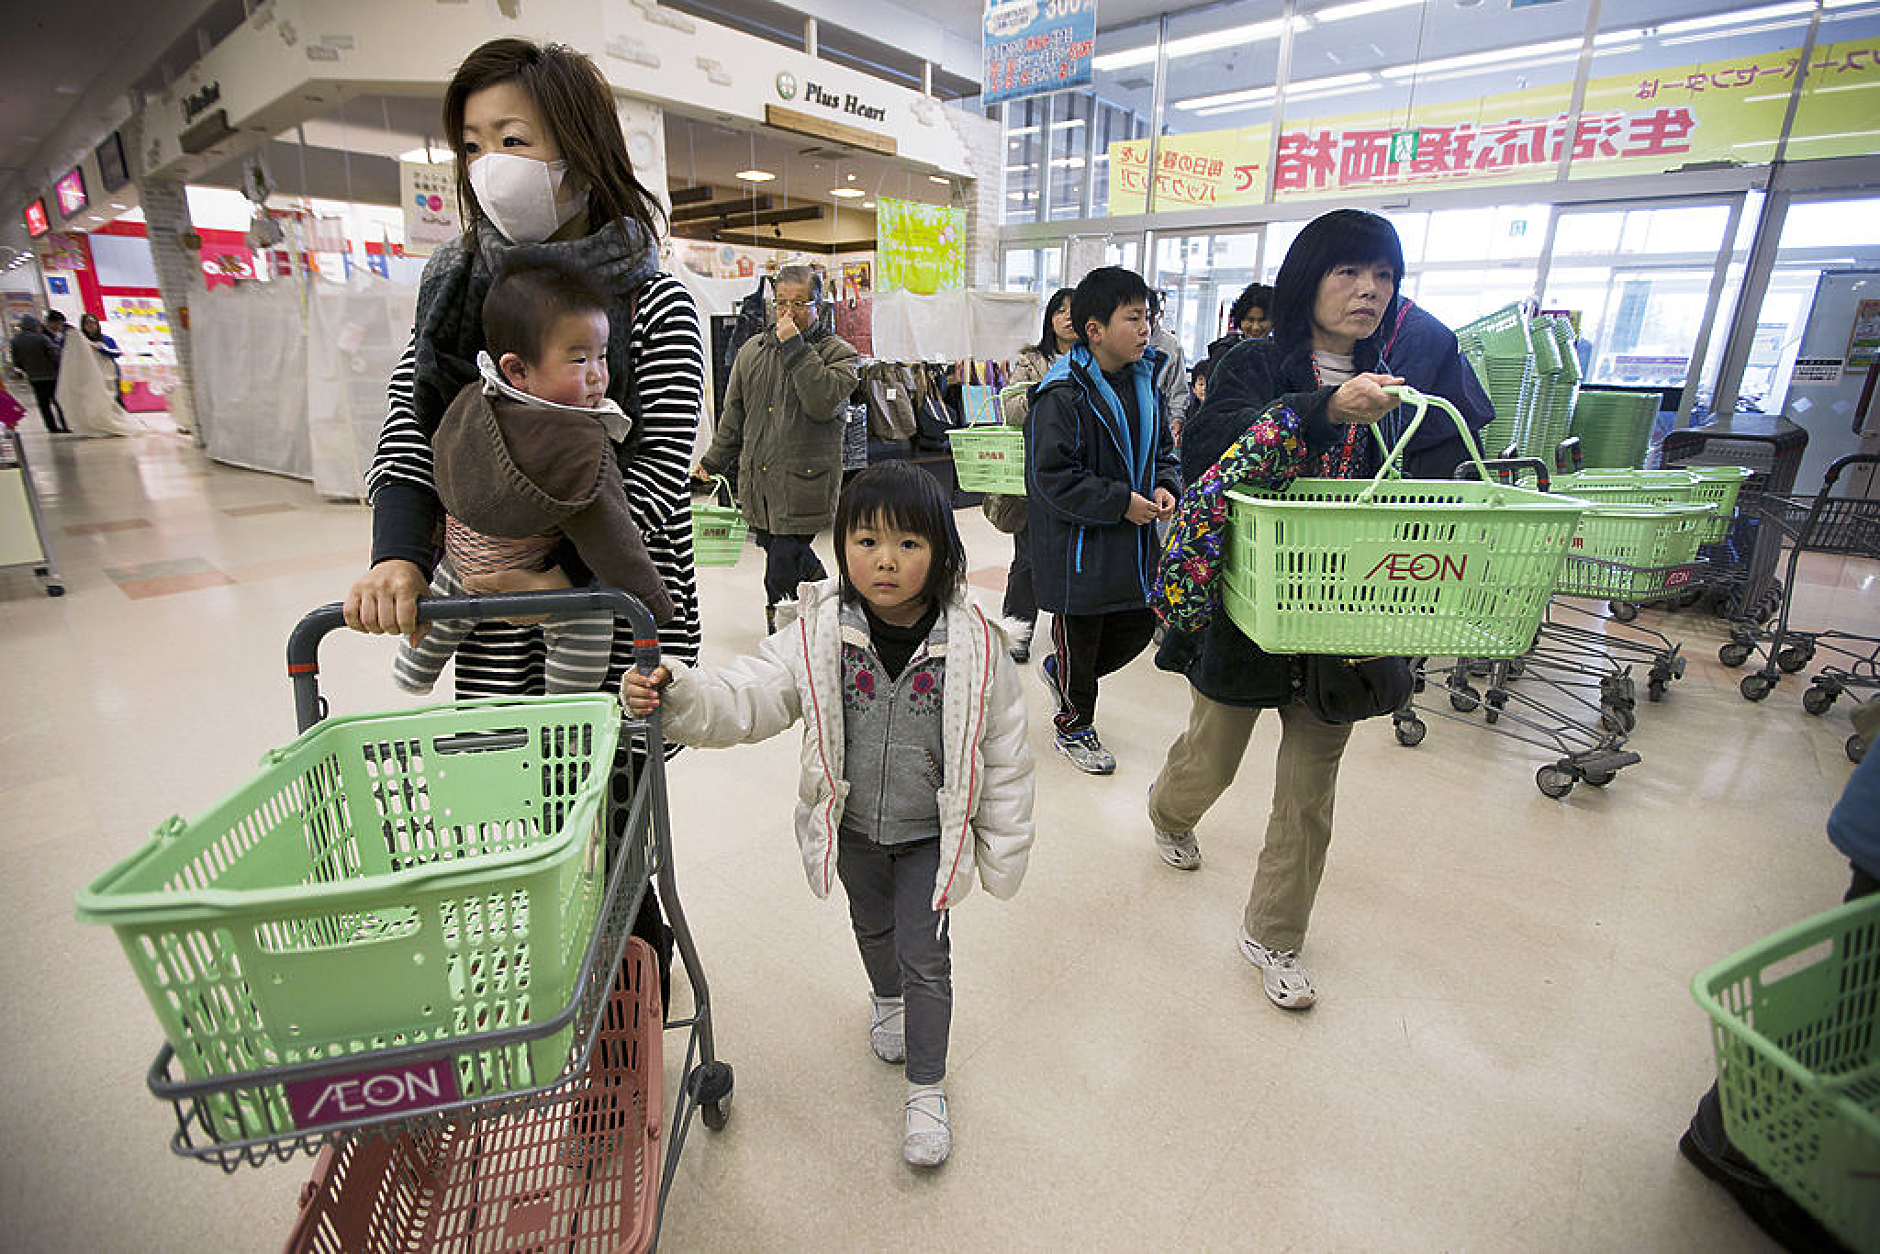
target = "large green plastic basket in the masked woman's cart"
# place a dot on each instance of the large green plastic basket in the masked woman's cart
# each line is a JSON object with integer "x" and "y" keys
{"x": 383, "y": 881}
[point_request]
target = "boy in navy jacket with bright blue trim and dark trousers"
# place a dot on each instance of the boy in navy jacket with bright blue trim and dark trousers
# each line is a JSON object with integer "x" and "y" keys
{"x": 1099, "y": 471}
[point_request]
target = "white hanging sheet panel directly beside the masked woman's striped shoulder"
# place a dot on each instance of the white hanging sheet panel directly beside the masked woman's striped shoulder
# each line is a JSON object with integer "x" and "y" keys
{"x": 354, "y": 336}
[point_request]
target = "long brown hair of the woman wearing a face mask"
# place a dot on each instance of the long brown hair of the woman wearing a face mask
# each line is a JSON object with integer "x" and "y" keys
{"x": 576, "y": 106}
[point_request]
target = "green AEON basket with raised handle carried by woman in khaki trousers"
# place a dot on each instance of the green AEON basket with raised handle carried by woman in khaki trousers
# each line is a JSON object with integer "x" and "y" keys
{"x": 1396, "y": 567}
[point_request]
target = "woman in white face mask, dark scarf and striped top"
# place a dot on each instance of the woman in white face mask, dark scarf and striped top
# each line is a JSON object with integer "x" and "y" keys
{"x": 542, "y": 165}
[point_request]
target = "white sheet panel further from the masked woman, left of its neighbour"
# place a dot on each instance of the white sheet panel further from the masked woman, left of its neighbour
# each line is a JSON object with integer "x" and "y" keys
{"x": 251, "y": 377}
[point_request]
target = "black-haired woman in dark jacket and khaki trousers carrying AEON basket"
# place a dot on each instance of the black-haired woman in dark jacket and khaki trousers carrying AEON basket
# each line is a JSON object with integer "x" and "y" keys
{"x": 1296, "y": 405}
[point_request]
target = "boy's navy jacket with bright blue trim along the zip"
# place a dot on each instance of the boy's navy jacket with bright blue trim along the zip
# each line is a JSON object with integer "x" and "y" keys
{"x": 1084, "y": 458}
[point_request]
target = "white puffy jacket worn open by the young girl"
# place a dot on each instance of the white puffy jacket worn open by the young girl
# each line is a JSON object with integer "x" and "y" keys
{"x": 986, "y": 806}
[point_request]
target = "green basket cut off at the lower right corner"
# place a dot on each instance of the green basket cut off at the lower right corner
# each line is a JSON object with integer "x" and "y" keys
{"x": 1796, "y": 1027}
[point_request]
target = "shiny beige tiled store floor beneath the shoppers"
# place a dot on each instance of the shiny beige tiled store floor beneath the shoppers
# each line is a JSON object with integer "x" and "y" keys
{"x": 1503, "y": 1058}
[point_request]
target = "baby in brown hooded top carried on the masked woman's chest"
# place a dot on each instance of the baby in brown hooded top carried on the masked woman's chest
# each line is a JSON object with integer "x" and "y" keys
{"x": 527, "y": 460}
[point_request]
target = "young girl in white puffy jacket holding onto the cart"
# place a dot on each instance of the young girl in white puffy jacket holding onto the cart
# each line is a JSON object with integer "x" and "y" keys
{"x": 915, "y": 772}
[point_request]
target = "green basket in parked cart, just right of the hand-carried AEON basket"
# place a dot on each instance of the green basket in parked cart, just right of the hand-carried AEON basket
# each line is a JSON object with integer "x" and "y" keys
{"x": 1635, "y": 554}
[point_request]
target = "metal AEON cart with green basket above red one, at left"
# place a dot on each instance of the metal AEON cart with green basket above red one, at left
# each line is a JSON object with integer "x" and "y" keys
{"x": 403, "y": 838}
